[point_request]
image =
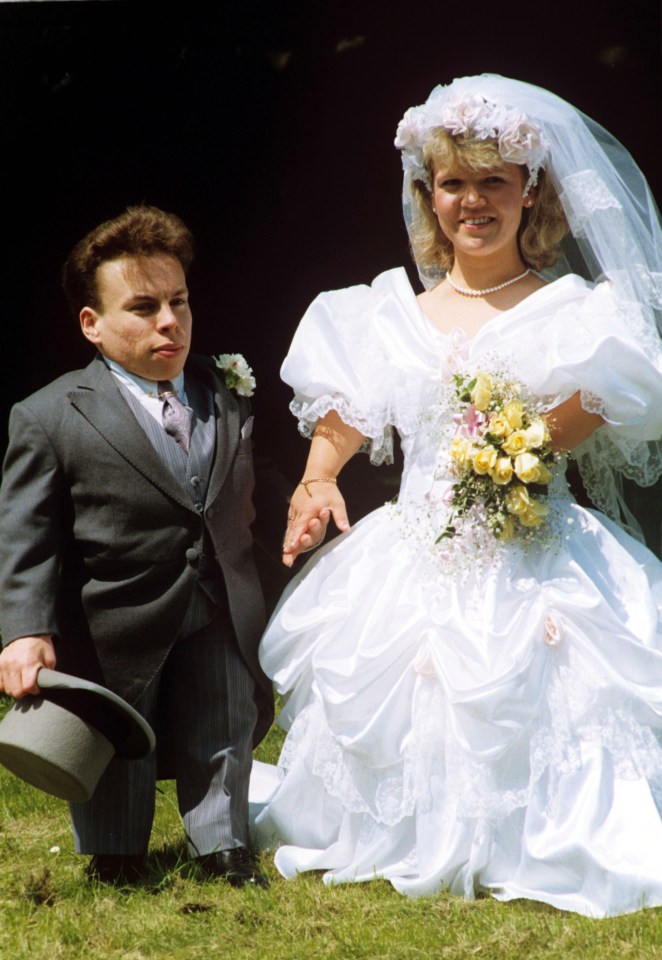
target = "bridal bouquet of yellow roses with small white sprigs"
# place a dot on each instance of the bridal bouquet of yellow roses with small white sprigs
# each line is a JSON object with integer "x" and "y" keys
{"x": 502, "y": 456}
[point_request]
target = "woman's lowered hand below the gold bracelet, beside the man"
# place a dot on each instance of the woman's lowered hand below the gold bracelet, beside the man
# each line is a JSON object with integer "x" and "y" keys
{"x": 311, "y": 507}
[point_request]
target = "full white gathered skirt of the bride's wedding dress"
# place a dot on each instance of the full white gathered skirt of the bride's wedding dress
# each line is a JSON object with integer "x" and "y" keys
{"x": 493, "y": 733}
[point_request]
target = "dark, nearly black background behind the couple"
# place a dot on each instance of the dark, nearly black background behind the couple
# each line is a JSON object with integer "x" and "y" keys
{"x": 268, "y": 128}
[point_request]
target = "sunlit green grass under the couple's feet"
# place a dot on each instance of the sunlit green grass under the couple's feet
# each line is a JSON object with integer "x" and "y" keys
{"x": 47, "y": 909}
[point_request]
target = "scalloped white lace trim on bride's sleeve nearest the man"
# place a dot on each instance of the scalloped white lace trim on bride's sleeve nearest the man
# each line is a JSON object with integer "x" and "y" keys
{"x": 370, "y": 422}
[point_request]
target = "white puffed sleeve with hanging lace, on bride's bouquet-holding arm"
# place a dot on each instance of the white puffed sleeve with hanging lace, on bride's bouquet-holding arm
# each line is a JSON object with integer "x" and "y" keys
{"x": 601, "y": 347}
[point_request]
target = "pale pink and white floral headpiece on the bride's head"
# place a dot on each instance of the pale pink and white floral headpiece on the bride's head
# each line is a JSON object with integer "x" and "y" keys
{"x": 519, "y": 140}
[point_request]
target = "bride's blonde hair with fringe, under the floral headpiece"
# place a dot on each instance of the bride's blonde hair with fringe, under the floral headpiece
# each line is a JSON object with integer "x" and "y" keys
{"x": 543, "y": 225}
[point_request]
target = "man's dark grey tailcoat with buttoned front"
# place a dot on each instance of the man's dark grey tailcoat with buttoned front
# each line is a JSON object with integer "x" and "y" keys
{"x": 99, "y": 544}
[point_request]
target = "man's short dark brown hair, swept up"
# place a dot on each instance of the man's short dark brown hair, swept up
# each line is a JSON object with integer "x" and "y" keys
{"x": 138, "y": 232}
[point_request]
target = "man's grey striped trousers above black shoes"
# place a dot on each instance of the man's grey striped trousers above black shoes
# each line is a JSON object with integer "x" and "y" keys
{"x": 205, "y": 693}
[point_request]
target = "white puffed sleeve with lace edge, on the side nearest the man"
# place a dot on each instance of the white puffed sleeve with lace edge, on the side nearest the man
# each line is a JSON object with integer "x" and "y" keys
{"x": 336, "y": 362}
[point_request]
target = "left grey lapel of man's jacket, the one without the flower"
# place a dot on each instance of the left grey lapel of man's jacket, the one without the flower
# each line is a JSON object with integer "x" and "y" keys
{"x": 99, "y": 400}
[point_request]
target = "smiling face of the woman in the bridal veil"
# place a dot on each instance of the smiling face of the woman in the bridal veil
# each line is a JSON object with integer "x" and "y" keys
{"x": 480, "y": 211}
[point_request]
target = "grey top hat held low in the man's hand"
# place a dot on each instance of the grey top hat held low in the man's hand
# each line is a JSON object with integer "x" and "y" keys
{"x": 62, "y": 741}
